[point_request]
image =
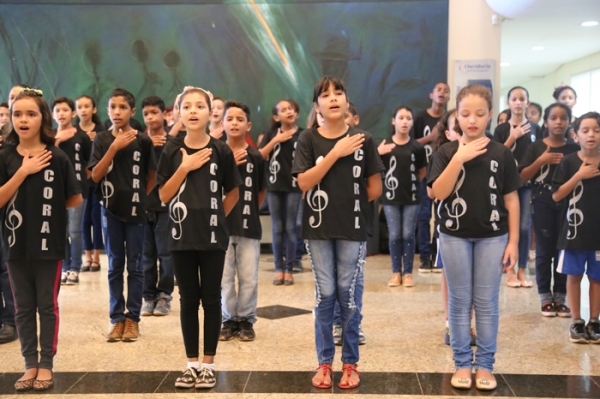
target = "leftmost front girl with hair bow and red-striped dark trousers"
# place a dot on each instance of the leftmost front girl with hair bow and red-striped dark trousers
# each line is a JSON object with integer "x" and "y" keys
{"x": 37, "y": 185}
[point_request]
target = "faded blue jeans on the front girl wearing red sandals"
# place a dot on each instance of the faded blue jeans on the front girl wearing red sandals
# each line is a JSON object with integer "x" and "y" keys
{"x": 338, "y": 268}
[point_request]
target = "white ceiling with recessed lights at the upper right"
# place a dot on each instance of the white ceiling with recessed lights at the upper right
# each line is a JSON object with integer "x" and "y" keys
{"x": 553, "y": 24}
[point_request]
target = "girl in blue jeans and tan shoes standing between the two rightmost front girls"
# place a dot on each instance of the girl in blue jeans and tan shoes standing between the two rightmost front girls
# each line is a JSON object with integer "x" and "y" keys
{"x": 405, "y": 157}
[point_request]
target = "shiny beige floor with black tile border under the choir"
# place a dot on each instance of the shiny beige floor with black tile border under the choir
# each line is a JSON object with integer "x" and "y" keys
{"x": 404, "y": 355}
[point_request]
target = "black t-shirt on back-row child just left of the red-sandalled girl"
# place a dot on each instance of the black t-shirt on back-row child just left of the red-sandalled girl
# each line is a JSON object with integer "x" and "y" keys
{"x": 281, "y": 159}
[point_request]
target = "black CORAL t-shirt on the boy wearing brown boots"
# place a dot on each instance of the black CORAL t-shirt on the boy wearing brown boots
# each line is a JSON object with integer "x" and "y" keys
{"x": 122, "y": 191}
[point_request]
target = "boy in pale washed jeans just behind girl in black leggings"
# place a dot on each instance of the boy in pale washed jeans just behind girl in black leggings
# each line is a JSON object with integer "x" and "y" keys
{"x": 243, "y": 252}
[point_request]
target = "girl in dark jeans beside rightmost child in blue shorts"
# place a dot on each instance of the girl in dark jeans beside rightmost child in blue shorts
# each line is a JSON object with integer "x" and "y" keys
{"x": 540, "y": 163}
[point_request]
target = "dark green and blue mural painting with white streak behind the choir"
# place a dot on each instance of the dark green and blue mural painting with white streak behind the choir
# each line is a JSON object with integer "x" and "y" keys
{"x": 388, "y": 52}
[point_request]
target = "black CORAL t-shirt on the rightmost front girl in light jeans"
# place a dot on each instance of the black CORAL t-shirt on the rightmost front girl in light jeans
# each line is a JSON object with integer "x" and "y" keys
{"x": 475, "y": 208}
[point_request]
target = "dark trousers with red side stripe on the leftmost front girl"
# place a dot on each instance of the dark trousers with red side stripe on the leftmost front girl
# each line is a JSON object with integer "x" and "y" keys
{"x": 36, "y": 284}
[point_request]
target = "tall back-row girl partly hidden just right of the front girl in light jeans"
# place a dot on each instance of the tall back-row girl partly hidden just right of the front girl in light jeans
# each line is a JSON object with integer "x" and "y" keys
{"x": 517, "y": 134}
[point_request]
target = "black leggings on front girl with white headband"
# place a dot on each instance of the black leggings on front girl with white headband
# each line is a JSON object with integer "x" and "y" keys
{"x": 193, "y": 286}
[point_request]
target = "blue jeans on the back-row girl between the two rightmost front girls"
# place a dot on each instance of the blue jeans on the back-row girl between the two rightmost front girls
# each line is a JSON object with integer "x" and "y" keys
{"x": 402, "y": 222}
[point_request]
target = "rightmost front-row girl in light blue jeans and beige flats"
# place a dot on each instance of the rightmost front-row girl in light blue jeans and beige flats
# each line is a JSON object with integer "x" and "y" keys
{"x": 476, "y": 181}
